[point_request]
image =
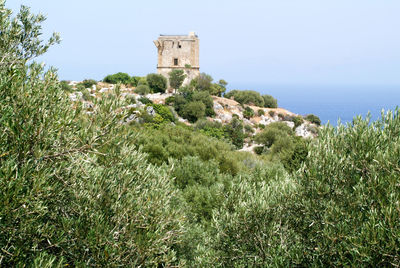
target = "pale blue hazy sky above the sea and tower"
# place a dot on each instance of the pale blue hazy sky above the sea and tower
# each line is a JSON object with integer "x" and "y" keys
{"x": 309, "y": 42}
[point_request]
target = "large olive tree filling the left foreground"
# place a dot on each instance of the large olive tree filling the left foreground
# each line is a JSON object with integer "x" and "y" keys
{"x": 70, "y": 196}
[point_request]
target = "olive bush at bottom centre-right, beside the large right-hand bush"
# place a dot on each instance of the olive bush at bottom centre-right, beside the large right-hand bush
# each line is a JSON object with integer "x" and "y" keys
{"x": 249, "y": 227}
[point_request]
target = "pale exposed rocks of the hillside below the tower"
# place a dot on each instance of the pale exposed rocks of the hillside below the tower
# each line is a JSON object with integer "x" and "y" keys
{"x": 225, "y": 109}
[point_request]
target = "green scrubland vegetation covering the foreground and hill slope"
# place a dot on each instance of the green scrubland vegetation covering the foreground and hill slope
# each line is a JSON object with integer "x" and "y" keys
{"x": 81, "y": 189}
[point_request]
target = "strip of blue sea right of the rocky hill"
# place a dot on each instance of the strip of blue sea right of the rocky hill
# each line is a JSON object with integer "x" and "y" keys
{"x": 332, "y": 103}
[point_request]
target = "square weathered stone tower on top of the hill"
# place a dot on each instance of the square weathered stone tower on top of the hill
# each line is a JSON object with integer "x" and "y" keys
{"x": 178, "y": 52}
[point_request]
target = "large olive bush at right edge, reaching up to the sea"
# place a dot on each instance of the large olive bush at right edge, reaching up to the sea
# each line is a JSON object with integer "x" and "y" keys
{"x": 349, "y": 195}
